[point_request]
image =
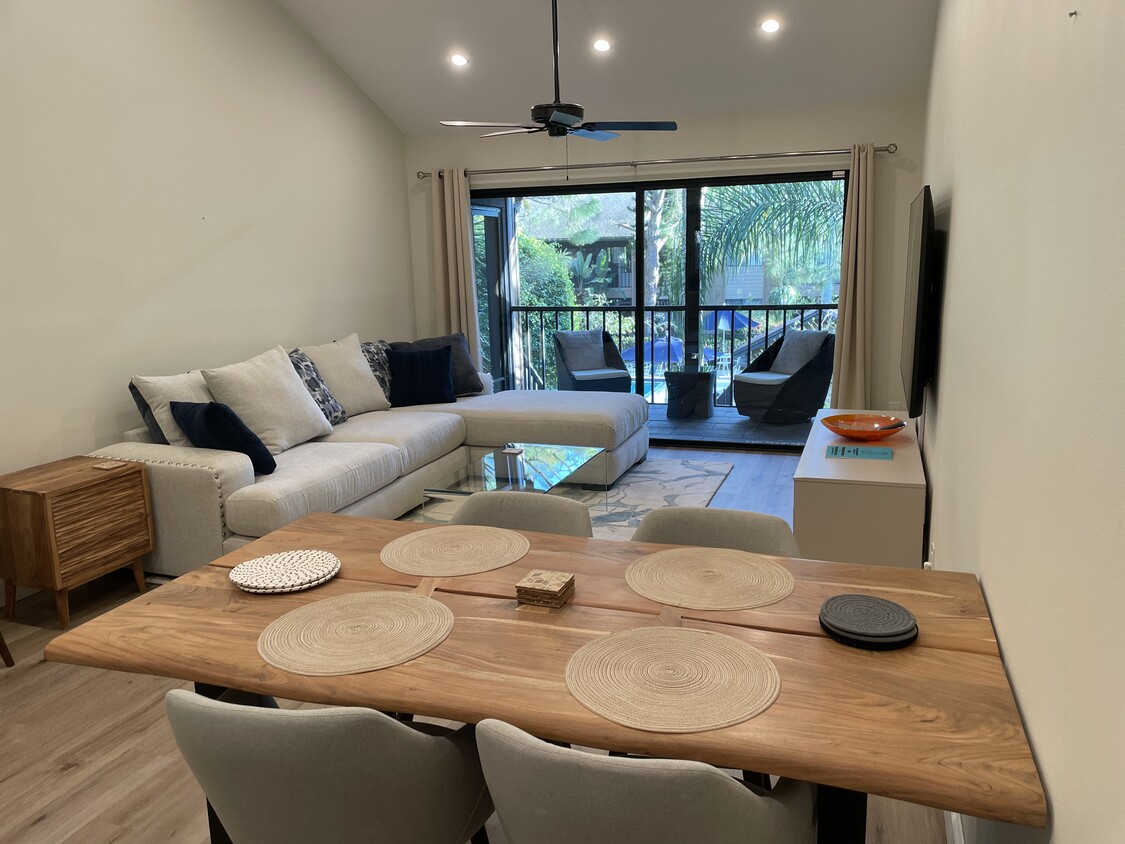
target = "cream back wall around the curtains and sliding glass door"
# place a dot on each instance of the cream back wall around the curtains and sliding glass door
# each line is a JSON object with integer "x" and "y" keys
{"x": 827, "y": 128}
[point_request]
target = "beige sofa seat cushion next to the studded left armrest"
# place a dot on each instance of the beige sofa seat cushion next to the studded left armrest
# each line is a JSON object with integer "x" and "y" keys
{"x": 314, "y": 478}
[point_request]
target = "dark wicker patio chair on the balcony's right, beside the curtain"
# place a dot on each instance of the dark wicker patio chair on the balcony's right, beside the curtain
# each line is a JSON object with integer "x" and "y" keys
{"x": 788, "y": 383}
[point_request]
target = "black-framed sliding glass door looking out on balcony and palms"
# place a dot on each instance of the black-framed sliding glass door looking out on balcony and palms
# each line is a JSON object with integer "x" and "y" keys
{"x": 694, "y": 275}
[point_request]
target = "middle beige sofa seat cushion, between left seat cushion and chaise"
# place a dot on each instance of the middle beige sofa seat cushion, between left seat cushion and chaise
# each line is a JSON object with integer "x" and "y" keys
{"x": 421, "y": 438}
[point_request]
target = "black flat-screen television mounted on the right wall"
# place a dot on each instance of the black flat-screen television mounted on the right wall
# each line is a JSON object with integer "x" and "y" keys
{"x": 922, "y": 309}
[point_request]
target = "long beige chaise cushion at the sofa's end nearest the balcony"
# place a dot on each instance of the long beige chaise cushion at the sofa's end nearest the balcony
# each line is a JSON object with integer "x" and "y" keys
{"x": 604, "y": 420}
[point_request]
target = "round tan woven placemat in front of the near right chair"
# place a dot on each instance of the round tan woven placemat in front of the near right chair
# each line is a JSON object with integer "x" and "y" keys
{"x": 672, "y": 680}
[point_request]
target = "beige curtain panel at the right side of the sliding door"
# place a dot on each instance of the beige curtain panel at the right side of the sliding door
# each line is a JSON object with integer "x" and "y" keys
{"x": 851, "y": 366}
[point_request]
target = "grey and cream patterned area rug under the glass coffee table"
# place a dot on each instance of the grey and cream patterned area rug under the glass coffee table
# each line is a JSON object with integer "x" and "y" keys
{"x": 652, "y": 486}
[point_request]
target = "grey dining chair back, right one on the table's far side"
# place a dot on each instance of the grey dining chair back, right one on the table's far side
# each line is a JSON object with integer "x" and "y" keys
{"x": 717, "y": 528}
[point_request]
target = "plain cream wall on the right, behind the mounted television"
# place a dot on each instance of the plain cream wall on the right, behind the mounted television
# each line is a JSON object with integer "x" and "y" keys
{"x": 1024, "y": 433}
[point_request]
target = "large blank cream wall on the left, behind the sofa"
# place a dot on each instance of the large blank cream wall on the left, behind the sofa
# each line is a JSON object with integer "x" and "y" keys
{"x": 182, "y": 185}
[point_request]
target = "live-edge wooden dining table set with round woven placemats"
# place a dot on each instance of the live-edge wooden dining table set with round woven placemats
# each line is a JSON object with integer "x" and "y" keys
{"x": 933, "y": 724}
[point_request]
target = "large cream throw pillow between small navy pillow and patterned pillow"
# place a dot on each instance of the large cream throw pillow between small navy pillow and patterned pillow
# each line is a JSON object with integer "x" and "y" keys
{"x": 269, "y": 397}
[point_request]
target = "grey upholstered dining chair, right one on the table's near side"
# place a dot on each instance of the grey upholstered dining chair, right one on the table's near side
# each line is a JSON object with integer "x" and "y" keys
{"x": 550, "y": 795}
